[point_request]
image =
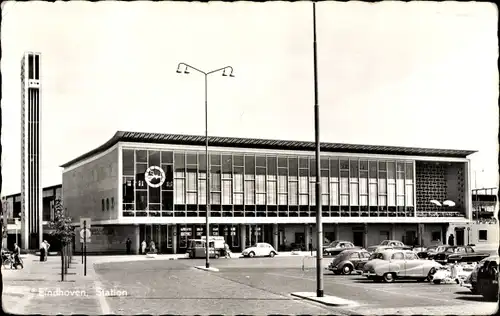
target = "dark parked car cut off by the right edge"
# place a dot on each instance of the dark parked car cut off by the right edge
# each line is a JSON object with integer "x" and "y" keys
{"x": 487, "y": 278}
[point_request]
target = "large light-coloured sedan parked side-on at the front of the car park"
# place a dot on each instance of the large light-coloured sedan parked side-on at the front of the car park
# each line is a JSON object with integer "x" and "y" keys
{"x": 393, "y": 264}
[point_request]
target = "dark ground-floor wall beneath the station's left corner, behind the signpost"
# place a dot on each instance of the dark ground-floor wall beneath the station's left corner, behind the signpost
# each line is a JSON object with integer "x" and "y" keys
{"x": 108, "y": 239}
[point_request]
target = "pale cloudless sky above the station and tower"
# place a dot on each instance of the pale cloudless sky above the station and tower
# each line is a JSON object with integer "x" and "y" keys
{"x": 418, "y": 74}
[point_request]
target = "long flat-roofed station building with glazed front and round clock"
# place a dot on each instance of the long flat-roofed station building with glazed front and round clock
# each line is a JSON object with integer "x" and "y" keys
{"x": 146, "y": 186}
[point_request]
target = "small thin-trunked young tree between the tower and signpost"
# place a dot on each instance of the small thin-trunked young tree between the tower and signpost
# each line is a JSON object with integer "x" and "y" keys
{"x": 62, "y": 230}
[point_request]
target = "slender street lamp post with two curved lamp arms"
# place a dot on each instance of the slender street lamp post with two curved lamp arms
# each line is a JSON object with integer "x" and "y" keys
{"x": 229, "y": 73}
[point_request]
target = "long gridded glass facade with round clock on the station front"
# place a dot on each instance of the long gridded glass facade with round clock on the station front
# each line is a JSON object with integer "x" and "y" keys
{"x": 260, "y": 185}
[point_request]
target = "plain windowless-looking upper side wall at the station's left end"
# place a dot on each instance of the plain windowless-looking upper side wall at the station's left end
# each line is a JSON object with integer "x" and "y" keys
{"x": 85, "y": 187}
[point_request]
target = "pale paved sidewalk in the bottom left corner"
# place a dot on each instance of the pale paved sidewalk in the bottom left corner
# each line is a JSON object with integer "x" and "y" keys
{"x": 37, "y": 289}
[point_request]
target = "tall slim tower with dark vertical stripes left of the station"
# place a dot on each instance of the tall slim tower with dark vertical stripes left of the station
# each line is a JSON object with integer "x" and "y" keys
{"x": 31, "y": 171}
